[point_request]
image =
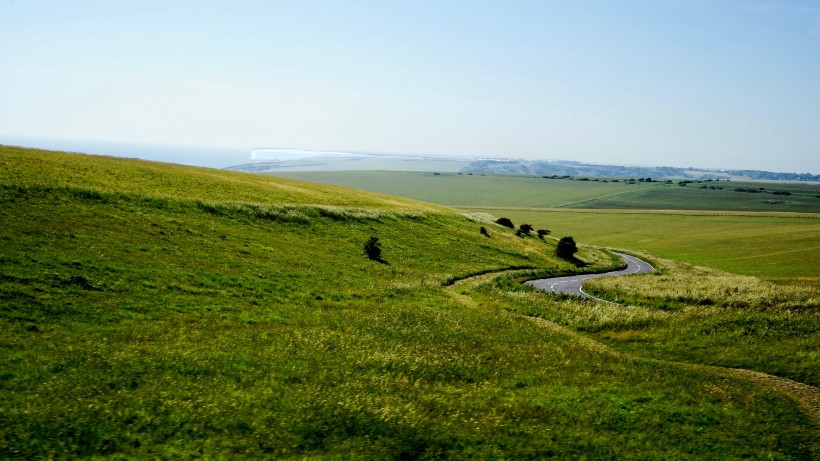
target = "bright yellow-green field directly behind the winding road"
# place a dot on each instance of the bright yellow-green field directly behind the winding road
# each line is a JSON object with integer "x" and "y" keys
{"x": 762, "y": 245}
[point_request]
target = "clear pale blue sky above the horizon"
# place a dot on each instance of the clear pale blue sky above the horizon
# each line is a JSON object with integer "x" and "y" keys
{"x": 689, "y": 83}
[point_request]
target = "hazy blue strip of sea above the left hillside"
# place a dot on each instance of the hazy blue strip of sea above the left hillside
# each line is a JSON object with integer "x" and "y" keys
{"x": 184, "y": 155}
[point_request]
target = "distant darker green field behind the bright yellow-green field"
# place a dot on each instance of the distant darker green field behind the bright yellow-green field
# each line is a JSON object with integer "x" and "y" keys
{"x": 455, "y": 189}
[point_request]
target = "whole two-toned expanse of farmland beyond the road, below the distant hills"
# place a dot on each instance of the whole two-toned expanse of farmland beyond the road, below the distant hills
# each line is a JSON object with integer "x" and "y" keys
{"x": 734, "y": 231}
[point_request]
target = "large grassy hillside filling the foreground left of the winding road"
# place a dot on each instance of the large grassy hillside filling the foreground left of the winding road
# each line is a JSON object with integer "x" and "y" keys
{"x": 149, "y": 311}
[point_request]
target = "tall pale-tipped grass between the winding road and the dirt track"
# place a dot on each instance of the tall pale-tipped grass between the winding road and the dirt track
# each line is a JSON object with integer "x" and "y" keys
{"x": 693, "y": 314}
